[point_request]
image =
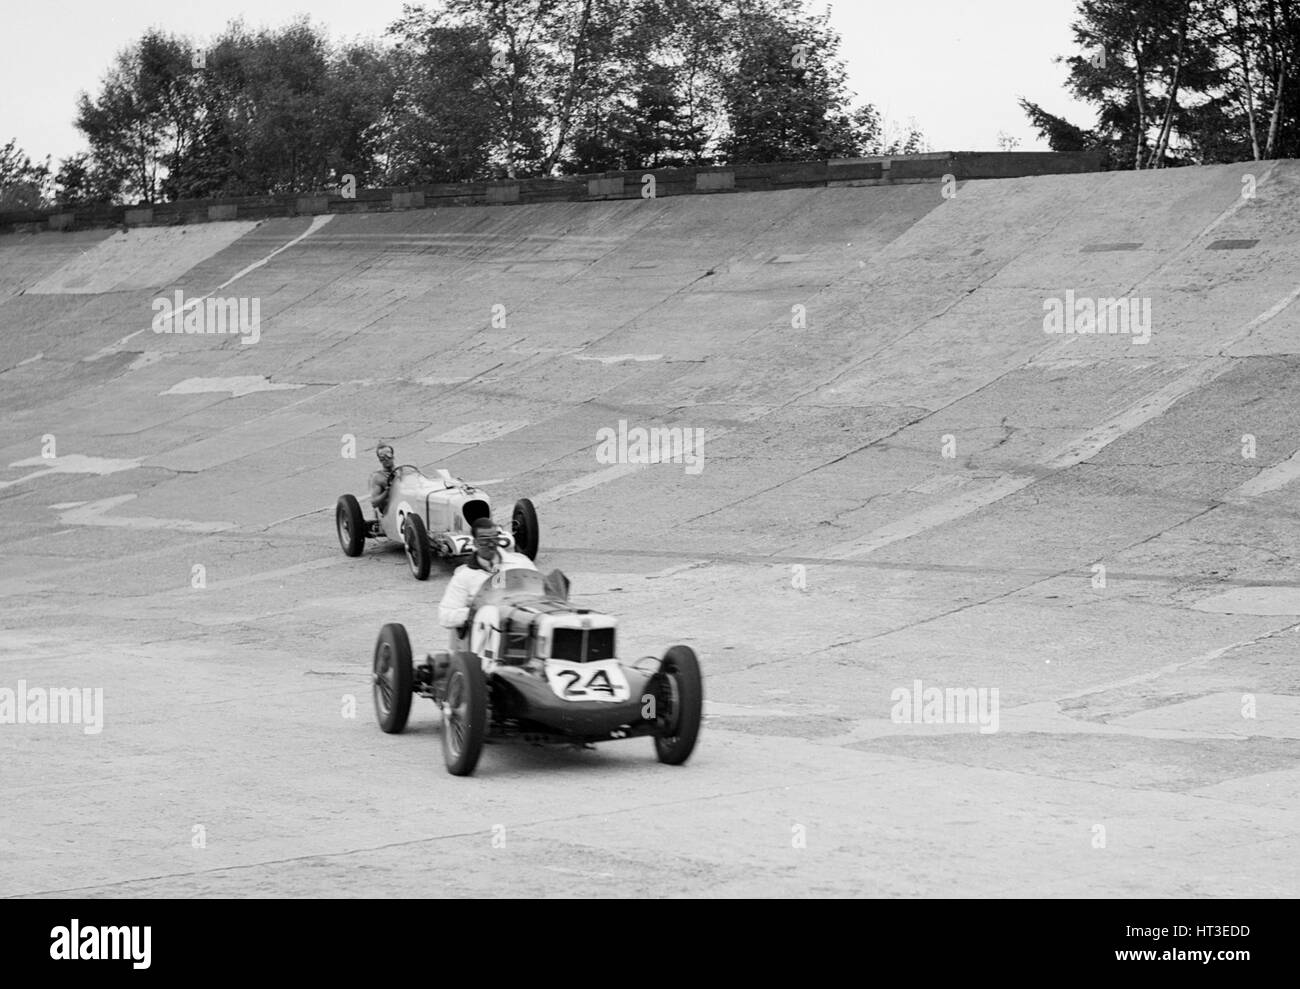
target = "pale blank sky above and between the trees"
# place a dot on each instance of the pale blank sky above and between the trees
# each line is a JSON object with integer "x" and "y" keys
{"x": 956, "y": 67}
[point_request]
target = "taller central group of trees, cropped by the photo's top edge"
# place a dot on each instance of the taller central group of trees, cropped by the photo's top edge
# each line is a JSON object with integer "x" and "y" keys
{"x": 595, "y": 85}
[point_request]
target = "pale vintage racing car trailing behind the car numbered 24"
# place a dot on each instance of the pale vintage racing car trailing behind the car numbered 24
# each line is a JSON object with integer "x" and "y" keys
{"x": 432, "y": 517}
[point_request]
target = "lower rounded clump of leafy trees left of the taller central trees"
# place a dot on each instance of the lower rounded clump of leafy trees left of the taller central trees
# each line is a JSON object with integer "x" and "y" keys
{"x": 279, "y": 111}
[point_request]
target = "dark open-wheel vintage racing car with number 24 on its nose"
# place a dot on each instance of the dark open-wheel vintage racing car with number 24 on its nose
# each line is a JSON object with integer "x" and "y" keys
{"x": 544, "y": 671}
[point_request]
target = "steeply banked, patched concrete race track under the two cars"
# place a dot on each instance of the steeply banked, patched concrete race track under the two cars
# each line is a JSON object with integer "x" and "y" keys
{"x": 833, "y": 346}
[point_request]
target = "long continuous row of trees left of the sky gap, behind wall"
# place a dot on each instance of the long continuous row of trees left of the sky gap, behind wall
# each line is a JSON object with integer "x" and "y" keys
{"x": 460, "y": 92}
